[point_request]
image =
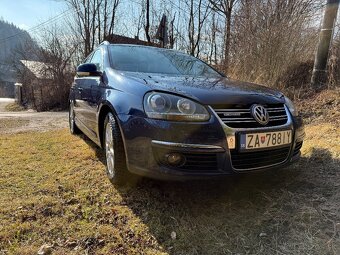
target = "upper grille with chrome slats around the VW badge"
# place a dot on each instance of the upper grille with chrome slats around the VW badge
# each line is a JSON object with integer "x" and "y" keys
{"x": 242, "y": 118}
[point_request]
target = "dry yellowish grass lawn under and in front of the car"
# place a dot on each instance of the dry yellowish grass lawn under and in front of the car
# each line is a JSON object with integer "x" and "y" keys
{"x": 53, "y": 190}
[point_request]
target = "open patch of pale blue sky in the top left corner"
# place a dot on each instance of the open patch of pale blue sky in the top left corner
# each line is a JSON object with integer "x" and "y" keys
{"x": 29, "y": 13}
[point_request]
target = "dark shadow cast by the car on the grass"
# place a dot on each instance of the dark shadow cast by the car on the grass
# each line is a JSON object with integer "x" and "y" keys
{"x": 261, "y": 213}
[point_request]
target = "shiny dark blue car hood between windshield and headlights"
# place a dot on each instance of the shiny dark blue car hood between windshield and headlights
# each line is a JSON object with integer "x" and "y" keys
{"x": 210, "y": 91}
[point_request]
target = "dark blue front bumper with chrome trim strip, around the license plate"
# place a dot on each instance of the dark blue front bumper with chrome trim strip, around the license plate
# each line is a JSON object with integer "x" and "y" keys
{"x": 204, "y": 145}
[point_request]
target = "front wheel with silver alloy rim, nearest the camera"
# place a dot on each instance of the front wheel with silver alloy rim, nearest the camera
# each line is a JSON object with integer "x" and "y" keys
{"x": 116, "y": 169}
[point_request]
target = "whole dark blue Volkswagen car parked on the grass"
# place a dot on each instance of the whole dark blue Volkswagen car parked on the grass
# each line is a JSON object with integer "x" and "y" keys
{"x": 164, "y": 114}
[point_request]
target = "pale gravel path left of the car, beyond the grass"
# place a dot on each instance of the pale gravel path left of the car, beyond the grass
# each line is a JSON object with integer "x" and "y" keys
{"x": 17, "y": 122}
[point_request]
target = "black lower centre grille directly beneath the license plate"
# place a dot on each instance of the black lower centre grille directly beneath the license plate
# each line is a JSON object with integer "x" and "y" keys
{"x": 258, "y": 159}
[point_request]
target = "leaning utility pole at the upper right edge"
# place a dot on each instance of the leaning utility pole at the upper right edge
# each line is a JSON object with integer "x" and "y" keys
{"x": 319, "y": 77}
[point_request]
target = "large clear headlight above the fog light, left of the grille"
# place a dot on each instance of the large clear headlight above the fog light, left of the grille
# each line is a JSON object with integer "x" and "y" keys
{"x": 170, "y": 107}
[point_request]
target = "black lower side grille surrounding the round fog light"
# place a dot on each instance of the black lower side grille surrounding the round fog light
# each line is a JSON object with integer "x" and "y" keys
{"x": 195, "y": 162}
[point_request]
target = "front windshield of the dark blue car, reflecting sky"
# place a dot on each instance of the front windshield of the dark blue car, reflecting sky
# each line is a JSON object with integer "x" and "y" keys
{"x": 161, "y": 61}
